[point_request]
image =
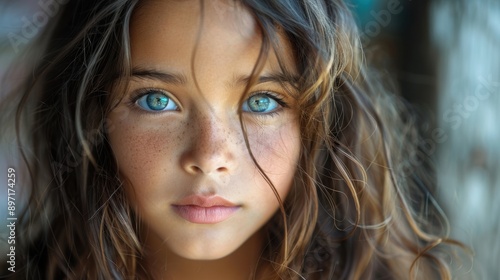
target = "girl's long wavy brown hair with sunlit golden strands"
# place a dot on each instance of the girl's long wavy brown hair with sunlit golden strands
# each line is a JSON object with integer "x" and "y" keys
{"x": 354, "y": 211}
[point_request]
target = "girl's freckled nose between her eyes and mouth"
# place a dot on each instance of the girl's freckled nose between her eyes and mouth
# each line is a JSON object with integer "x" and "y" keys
{"x": 211, "y": 149}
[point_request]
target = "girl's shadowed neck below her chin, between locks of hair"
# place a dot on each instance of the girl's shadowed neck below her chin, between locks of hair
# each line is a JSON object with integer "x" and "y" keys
{"x": 243, "y": 264}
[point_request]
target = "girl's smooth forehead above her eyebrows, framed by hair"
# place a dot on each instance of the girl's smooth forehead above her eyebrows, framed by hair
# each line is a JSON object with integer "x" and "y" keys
{"x": 175, "y": 28}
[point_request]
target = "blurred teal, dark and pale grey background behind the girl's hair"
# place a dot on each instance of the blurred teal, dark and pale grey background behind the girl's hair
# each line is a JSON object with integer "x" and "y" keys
{"x": 444, "y": 56}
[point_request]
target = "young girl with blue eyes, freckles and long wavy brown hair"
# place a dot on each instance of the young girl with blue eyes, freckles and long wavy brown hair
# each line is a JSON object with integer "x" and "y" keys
{"x": 217, "y": 140}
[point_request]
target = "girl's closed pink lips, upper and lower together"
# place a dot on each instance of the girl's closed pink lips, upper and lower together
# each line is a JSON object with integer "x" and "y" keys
{"x": 204, "y": 209}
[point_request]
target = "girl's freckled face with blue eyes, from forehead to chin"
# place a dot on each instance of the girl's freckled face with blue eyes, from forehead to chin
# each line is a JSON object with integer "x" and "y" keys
{"x": 177, "y": 136}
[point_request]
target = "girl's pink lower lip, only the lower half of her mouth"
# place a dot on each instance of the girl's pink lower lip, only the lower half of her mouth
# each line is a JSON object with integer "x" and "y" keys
{"x": 204, "y": 215}
